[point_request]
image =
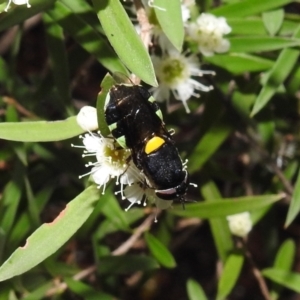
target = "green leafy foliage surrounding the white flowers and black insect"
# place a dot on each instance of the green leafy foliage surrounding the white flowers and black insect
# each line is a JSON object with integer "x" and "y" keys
{"x": 241, "y": 140}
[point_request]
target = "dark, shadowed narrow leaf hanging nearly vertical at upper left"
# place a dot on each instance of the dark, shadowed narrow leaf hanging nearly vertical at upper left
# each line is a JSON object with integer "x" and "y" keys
{"x": 58, "y": 57}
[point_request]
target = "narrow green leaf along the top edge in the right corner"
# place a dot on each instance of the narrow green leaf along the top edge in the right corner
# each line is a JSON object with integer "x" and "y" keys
{"x": 248, "y": 8}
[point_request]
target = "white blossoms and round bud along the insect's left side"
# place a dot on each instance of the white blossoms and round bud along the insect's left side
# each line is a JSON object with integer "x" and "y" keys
{"x": 113, "y": 162}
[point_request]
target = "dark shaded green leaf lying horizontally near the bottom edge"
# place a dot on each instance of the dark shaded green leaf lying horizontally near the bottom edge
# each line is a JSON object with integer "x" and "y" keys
{"x": 126, "y": 264}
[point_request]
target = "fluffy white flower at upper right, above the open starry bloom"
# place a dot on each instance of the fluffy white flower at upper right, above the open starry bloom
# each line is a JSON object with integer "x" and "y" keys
{"x": 208, "y": 32}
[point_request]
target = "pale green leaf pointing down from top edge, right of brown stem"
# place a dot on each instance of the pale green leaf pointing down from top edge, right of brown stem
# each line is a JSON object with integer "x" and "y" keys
{"x": 169, "y": 16}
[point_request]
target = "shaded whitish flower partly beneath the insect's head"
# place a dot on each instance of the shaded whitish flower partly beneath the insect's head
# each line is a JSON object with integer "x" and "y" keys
{"x": 139, "y": 192}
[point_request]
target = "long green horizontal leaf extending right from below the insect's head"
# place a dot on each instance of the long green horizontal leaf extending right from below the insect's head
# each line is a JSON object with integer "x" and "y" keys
{"x": 225, "y": 207}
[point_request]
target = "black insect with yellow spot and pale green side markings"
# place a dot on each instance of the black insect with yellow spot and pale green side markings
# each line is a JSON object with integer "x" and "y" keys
{"x": 135, "y": 121}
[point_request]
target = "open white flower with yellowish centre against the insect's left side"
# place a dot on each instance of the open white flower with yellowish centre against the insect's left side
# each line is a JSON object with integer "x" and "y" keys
{"x": 111, "y": 162}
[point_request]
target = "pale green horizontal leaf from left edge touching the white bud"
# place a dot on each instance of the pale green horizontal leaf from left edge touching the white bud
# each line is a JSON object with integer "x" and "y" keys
{"x": 40, "y": 131}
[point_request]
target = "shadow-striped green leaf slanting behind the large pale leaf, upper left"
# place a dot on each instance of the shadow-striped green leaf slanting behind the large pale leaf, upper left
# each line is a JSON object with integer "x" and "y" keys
{"x": 86, "y": 36}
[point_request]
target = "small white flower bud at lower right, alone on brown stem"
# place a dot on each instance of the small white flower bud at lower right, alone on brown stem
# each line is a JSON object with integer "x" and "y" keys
{"x": 240, "y": 224}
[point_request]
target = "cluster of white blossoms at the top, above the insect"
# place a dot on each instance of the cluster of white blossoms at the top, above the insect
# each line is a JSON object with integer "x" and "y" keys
{"x": 177, "y": 72}
